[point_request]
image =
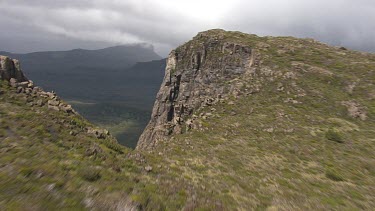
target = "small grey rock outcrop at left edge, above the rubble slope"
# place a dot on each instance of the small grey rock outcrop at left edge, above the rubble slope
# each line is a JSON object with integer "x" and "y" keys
{"x": 10, "y": 68}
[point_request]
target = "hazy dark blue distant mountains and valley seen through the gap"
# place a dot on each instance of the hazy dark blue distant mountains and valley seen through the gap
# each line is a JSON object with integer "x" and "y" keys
{"x": 110, "y": 87}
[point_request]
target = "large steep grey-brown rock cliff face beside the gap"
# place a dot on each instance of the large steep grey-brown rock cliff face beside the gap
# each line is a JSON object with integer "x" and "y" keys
{"x": 196, "y": 76}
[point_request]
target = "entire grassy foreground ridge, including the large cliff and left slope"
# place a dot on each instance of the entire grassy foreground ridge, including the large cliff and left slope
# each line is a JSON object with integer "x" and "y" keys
{"x": 240, "y": 122}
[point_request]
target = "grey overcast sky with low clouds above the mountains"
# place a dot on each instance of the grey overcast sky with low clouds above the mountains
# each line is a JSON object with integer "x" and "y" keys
{"x": 39, "y": 25}
